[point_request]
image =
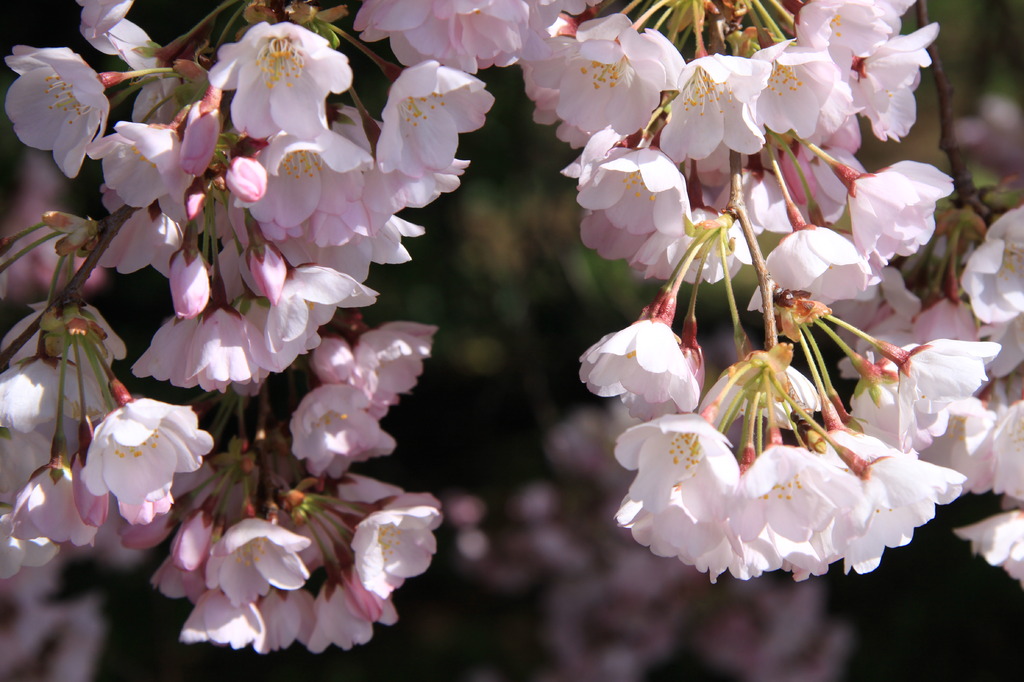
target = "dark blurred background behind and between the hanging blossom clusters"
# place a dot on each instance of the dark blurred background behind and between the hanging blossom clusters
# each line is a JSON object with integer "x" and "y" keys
{"x": 532, "y": 579}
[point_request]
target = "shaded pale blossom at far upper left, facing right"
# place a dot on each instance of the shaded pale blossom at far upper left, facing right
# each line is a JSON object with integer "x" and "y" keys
{"x": 57, "y": 103}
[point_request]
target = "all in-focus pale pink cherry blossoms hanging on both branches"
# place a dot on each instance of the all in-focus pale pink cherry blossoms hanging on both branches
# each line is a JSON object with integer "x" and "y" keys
{"x": 253, "y": 178}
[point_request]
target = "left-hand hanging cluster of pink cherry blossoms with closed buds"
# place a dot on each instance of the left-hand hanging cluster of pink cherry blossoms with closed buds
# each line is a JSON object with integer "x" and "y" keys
{"x": 253, "y": 179}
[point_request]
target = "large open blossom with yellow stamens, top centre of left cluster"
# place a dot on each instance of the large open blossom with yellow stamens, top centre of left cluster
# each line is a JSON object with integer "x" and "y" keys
{"x": 282, "y": 74}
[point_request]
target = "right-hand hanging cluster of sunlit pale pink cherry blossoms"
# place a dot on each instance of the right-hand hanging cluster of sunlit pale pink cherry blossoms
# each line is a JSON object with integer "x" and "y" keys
{"x": 686, "y": 163}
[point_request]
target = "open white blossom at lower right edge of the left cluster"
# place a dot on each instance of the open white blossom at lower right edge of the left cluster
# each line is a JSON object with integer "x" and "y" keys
{"x": 397, "y": 542}
